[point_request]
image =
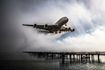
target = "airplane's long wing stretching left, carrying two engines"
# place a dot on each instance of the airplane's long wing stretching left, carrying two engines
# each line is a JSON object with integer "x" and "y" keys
{"x": 46, "y": 27}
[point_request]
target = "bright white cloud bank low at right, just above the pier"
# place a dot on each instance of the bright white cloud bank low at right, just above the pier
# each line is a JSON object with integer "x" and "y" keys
{"x": 88, "y": 42}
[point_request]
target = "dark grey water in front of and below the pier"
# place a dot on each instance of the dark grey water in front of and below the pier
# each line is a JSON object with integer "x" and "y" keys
{"x": 22, "y": 61}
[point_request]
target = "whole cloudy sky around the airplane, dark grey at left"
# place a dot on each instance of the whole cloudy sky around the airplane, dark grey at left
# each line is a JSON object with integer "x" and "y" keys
{"x": 87, "y": 17}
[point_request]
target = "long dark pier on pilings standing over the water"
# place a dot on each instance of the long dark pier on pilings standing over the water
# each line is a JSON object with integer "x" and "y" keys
{"x": 72, "y": 56}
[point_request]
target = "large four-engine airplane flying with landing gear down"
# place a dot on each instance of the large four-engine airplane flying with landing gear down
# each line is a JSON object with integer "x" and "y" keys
{"x": 57, "y": 27}
